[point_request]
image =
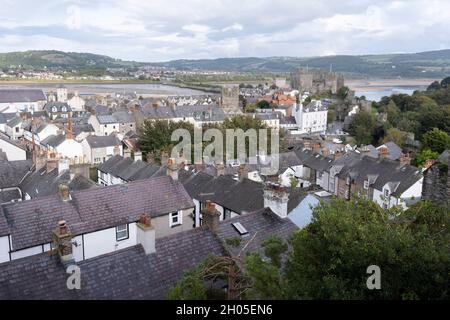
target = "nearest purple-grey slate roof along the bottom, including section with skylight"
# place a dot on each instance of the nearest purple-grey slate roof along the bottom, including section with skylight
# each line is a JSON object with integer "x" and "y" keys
{"x": 130, "y": 273}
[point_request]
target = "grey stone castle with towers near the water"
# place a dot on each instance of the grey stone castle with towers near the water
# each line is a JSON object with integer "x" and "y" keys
{"x": 315, "y": 81}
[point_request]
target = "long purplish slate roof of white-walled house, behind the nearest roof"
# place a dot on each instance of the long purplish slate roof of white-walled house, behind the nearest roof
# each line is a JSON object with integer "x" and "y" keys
{"x": 31, "y": 222}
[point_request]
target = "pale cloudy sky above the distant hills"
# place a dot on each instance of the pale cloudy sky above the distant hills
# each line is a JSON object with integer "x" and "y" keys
{"x": 160, "y": 30}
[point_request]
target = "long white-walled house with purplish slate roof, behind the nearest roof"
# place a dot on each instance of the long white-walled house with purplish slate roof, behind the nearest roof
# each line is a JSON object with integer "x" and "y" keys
{"x": 95, "y": 230}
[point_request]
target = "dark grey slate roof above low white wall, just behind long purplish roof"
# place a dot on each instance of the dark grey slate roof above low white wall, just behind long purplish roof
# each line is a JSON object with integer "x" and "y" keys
{"x": 130, "y": 170}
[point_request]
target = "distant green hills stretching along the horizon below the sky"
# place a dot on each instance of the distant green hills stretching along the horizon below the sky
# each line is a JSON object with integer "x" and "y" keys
{"x": 432, "y": 64}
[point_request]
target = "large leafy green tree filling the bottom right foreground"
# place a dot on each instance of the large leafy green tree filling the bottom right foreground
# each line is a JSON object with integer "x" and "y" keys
{"x": 331, "y": 255}
